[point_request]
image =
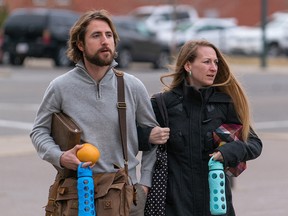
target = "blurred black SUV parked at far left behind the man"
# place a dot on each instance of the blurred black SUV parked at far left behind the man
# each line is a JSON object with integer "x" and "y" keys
{"x": 40, "y": 33}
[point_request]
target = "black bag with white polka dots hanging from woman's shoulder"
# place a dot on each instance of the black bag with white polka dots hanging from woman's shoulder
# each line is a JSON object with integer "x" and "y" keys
{"x": 155, "y": 204}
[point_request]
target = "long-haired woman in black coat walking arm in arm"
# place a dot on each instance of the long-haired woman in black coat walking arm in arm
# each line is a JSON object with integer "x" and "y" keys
{"x": 203, "y": 95}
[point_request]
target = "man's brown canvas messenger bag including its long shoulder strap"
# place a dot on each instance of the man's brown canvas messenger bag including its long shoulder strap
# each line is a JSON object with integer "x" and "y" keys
{"x": 114, "y": 193}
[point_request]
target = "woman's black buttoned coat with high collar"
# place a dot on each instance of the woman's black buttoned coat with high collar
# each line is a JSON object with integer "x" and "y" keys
{"x": 193, "y": 116}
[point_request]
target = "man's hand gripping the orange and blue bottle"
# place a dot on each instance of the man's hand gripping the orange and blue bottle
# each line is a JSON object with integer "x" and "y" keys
{"x": 69, "y": 159}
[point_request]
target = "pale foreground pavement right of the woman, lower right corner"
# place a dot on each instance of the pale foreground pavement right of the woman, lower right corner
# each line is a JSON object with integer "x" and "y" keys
{"x": 262, "y": 190}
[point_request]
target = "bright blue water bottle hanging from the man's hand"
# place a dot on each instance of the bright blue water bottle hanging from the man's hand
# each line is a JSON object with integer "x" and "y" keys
{"x": 85, "y": 187}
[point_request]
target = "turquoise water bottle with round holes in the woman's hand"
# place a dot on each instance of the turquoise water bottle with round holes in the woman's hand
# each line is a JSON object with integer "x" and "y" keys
{"x": 216, "y": 179}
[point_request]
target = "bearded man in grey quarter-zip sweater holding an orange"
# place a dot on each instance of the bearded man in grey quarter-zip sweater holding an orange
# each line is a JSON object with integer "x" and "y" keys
{"x": 88, "y": 93}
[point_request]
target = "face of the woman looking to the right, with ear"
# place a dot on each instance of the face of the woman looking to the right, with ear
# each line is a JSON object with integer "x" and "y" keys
{"x": 203, "y": 69}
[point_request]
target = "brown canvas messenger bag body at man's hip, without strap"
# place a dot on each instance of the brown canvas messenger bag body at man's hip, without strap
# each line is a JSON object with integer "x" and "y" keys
{"x": 113, "y": 195}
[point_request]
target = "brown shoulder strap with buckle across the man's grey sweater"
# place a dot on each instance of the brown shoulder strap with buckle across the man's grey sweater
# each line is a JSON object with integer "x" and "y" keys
{"x": 121, "y": 105}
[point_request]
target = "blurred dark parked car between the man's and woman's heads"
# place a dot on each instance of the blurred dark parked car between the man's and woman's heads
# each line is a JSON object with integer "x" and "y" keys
{"x": 139, "y": 44}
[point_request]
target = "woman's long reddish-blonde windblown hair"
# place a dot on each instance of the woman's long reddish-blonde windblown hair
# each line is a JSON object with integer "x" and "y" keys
{"x": 225, "y": 81}
